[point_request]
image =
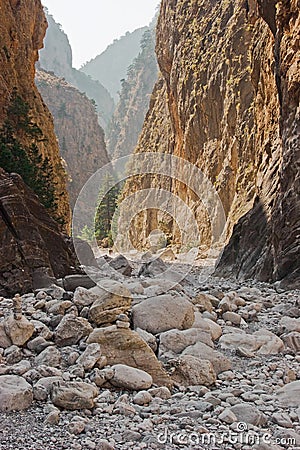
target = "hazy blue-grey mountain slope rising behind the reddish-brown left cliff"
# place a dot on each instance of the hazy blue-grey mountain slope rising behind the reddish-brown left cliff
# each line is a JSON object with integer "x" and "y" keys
{"x": 56, "y": 57}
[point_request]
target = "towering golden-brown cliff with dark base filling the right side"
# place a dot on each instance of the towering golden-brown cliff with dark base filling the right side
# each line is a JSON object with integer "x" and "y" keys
{"x": 226, "y": 100}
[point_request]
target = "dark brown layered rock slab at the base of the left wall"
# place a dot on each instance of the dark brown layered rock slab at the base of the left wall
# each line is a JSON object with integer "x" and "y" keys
{"x": 31, "y": 240}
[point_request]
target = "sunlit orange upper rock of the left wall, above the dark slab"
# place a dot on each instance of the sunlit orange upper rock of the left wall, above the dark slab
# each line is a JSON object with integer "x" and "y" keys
{"x": 23, "y": 26}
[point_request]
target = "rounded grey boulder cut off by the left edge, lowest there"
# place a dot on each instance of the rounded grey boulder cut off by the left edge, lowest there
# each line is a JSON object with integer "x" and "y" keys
{"x": 15, "y": 393}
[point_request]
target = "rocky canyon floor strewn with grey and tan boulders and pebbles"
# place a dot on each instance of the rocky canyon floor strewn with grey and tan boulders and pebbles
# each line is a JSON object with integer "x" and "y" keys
{"x": 149, "y": 360}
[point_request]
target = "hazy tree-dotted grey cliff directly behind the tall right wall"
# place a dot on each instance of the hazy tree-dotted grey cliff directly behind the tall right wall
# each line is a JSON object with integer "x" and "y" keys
{"x": 128, "y": 118}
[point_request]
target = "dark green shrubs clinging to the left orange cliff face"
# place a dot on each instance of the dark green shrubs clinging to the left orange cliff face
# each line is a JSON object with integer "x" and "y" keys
{"x": 36, "y": 171}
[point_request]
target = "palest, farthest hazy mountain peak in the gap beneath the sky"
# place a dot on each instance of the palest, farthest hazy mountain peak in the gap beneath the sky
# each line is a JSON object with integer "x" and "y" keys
{"x": 110, "y": 67}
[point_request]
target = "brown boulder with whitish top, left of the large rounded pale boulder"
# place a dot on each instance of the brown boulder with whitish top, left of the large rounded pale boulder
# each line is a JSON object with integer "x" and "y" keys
{"x": 112, "y": 299}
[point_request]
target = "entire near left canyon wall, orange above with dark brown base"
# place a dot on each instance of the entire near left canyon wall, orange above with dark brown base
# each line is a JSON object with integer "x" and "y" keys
{"x": 33, "y": 249}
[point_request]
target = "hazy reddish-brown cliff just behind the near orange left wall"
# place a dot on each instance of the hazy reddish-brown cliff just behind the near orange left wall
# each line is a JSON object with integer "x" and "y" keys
{"x": 80, "y": 137}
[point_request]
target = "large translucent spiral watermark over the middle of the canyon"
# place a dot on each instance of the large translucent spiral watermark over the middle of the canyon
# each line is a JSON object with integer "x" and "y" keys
{"x": 170, "y": 172}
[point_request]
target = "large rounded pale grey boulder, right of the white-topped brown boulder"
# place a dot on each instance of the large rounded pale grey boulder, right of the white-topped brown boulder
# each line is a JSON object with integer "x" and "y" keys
{"x": 163, "y": 313}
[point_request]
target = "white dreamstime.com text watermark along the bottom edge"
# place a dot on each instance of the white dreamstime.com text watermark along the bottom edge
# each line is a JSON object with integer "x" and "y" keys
{"x": 241, "y": 436}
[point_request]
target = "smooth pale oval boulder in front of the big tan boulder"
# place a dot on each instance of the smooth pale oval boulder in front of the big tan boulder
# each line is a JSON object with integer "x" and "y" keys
{"x": 131, "y": 378}
